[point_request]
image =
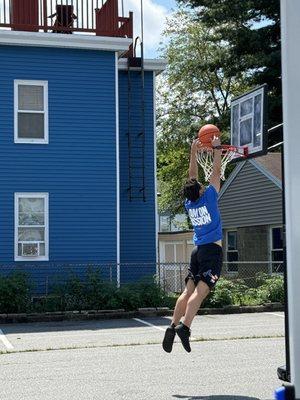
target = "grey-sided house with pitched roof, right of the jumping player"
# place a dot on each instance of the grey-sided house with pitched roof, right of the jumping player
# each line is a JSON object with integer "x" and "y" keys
{"x": 251, "y": 207}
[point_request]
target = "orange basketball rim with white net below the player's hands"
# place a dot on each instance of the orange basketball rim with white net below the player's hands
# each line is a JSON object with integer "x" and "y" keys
{"x": 205, "y": 158}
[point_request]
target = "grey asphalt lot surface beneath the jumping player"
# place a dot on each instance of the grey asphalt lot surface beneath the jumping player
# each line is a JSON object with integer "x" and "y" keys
{"x": 234, "y": 357}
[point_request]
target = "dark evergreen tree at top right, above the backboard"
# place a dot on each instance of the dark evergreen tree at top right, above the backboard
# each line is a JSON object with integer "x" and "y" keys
{"x": 252, "y": 30}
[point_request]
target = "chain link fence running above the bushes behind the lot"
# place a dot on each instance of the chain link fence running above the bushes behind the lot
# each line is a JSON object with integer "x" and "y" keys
{"x": 44, "y": 278}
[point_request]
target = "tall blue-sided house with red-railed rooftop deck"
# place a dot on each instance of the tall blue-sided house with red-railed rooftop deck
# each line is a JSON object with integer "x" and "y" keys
{"x": 77, "y": 143}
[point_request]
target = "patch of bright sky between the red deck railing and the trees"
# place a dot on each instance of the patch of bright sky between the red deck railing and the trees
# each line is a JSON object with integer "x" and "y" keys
{"x": 155, "y": 13}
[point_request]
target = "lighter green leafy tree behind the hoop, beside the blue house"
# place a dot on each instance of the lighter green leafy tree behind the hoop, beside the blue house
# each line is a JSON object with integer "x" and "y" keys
{"x": 194, "y": 90}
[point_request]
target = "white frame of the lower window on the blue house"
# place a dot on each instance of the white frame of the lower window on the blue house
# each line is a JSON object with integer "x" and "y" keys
{"x": 44, "y": 196}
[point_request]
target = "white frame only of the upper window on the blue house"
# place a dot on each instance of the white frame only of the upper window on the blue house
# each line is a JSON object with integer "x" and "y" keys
{"x": 17, "y": 83}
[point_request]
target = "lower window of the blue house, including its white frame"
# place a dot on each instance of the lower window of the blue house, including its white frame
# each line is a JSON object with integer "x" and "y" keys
{"x": 31, "y": 226}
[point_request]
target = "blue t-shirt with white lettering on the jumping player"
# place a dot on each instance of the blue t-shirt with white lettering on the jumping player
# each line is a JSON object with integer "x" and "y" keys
{"x": 205, "y": 217}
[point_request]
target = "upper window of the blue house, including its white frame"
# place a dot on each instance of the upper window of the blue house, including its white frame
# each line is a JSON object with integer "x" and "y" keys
{"x": 31, "y": 112}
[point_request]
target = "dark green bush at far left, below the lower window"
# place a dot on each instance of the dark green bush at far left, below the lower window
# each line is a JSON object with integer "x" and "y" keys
{"x": 14, "y": 293}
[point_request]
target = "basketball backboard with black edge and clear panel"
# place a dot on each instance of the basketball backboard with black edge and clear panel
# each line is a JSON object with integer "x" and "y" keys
{"x": 249, "y": 121}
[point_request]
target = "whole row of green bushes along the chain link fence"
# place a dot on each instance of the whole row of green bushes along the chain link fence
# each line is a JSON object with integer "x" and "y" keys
{"x": 95, "y": 293}
